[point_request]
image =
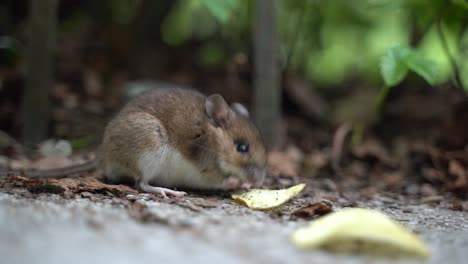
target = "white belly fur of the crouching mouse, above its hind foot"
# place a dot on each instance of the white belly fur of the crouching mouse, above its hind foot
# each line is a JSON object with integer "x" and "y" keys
{"x": 166, "y": 167}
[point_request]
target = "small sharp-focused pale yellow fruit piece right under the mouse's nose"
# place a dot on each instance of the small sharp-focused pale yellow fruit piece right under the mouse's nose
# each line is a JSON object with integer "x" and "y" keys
{"x": 268, "y": 199}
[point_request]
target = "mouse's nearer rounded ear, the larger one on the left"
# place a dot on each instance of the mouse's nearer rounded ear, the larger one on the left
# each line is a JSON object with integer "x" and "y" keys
{"x": 218, "y": 111}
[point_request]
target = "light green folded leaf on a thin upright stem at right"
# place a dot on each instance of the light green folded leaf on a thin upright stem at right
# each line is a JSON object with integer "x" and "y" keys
{"x": 399, "y": 60}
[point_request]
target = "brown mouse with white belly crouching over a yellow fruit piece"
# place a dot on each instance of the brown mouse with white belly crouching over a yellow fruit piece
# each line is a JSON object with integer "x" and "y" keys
{"x": 179, "y": 138}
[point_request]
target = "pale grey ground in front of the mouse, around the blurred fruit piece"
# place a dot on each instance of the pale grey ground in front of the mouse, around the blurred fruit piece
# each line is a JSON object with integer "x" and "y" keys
{"x": 199, "y": 228}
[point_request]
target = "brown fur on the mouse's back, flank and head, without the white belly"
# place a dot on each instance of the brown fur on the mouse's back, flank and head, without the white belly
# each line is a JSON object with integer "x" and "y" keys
{"x": 178, "y": 117}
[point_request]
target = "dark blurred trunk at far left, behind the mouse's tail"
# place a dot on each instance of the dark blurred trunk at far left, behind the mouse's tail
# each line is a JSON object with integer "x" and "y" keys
{"x": 35, "y": 105}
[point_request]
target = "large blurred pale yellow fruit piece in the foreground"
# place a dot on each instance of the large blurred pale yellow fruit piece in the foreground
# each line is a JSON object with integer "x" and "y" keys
{"x": 360, "y": 231}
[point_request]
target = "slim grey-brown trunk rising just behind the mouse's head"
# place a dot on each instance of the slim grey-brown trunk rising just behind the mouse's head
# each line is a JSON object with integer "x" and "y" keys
{"x": 267, "y": 101}
